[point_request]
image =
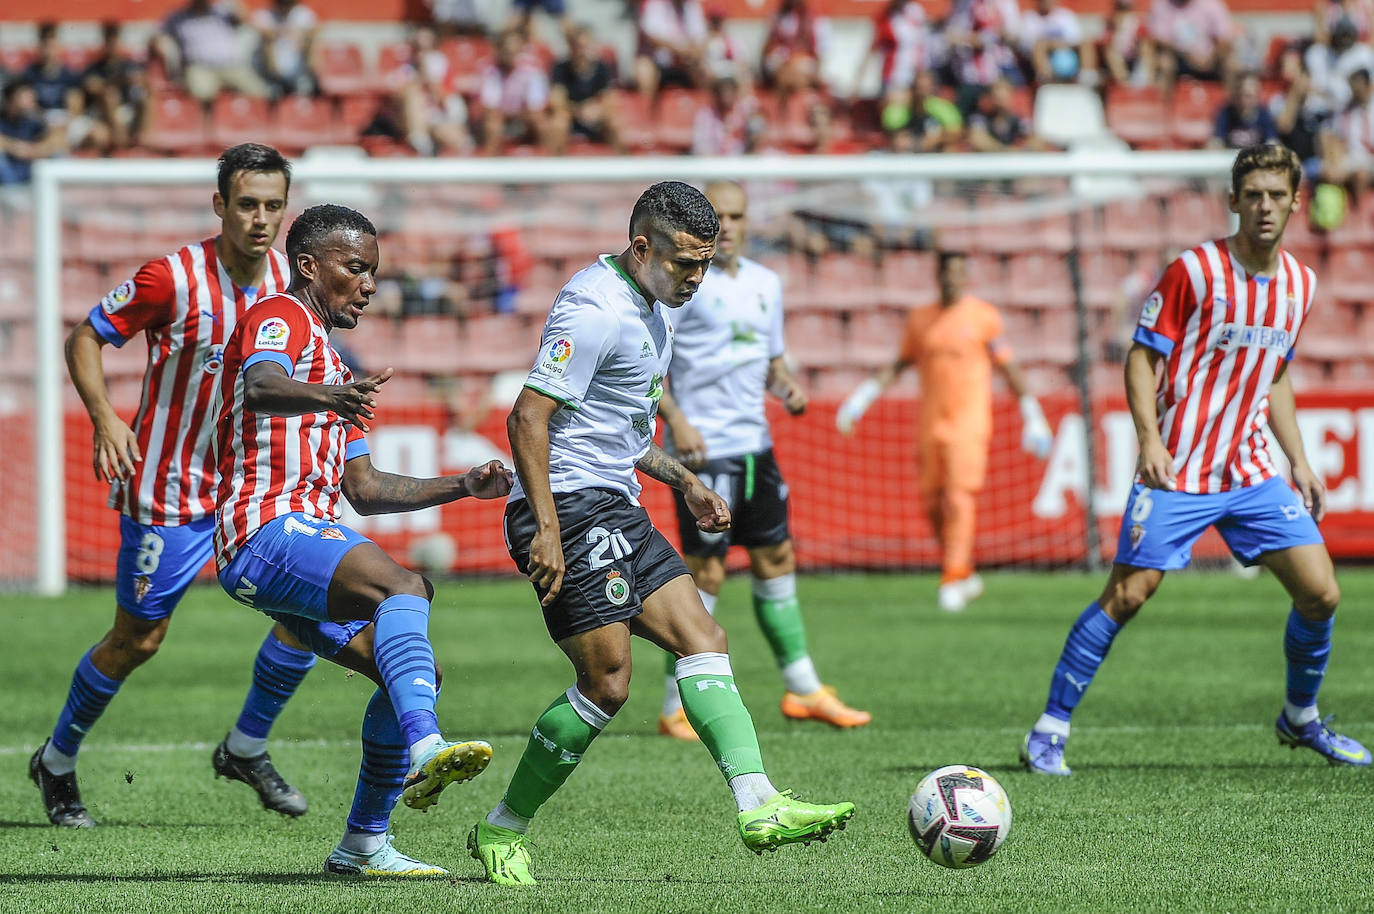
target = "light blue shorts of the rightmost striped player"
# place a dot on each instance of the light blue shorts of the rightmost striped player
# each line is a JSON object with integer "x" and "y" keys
{"x": 1160, "y": 527}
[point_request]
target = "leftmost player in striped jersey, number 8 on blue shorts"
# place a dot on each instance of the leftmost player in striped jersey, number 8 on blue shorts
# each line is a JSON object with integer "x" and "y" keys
{"x": 163, "y": 476}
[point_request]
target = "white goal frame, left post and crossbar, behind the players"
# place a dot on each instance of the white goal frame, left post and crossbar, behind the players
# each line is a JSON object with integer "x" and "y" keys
{"x": 1093, "y": 172}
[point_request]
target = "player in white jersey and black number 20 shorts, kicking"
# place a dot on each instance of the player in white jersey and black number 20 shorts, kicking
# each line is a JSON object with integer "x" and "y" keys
{"x": 582, "y": 427}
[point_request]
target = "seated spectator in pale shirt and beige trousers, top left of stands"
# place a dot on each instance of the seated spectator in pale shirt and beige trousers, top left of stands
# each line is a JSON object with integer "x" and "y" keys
{"x": 201, "y": 45}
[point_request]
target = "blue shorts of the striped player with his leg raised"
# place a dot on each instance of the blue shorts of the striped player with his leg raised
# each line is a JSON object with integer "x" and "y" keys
{"x": 285, "y": 572}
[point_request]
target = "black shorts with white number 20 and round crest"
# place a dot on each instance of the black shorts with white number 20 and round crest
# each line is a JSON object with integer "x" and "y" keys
{"x": 613, "y": 559}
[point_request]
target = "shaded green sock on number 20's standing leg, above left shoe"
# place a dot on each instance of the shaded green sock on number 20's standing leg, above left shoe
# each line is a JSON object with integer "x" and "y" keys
{"x": 557, "y": 744}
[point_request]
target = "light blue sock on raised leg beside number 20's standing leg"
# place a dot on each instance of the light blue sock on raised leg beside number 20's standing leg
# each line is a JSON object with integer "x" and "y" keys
{"x": 406, "y": 662}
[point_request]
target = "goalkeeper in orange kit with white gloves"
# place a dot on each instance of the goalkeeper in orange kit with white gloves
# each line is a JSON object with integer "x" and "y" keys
{"x": 954, "y": 346}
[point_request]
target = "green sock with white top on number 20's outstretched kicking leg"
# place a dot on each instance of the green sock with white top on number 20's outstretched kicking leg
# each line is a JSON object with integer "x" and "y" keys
{"x": 718, "y": 715}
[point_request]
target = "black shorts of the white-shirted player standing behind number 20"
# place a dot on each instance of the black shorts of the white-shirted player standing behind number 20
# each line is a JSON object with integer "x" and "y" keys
{"x": 752, "y": 486}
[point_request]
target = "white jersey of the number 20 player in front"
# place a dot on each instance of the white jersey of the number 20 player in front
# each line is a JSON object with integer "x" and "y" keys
{"x": 604, "y": 357}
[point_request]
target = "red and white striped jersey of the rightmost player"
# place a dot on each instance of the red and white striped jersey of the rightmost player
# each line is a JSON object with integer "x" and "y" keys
{"x": 1225, "y": 336}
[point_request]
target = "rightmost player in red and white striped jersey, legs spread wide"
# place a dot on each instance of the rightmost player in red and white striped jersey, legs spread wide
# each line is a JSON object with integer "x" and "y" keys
{"x": 1219, "y": 332}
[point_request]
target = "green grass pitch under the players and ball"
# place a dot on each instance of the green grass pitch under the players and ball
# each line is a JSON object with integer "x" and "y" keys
{"x": 1182, "y": 798}
